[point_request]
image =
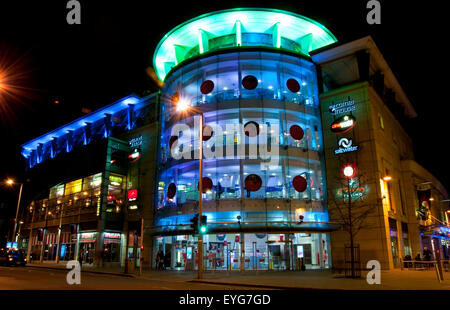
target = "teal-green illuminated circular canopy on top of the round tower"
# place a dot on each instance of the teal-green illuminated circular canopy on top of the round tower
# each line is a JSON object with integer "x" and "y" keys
{"x": 239, "y": 27}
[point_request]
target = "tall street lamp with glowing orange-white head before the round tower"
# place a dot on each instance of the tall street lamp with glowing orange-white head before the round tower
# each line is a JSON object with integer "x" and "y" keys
{"x": 183, "y": 106}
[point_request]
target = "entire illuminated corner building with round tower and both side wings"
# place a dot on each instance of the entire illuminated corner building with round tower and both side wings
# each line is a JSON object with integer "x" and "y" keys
{"x": 284, "y": 109}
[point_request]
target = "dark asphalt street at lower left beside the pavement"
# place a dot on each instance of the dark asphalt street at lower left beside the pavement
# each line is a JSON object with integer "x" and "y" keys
{"x": 29, "y": 278}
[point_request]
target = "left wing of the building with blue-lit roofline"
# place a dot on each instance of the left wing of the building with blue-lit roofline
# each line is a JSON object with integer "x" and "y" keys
{"x": 89, "y": 178}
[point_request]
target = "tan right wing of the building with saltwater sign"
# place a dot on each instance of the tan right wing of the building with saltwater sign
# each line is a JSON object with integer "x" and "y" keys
{"x": 358, "y": 86}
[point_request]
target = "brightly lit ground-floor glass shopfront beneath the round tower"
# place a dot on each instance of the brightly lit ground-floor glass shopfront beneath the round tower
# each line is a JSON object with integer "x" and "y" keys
{"x": 252, "y": 251}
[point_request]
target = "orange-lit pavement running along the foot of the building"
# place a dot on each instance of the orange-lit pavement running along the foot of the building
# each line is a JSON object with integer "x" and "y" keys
{"x": 390, "y": 280}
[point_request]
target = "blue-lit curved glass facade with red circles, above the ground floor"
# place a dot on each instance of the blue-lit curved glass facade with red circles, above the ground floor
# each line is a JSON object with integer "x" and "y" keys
{"x": 271, "y": 90}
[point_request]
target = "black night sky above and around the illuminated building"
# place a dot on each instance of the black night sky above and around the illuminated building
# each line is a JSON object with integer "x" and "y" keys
{"x": 105, "y": 58}
